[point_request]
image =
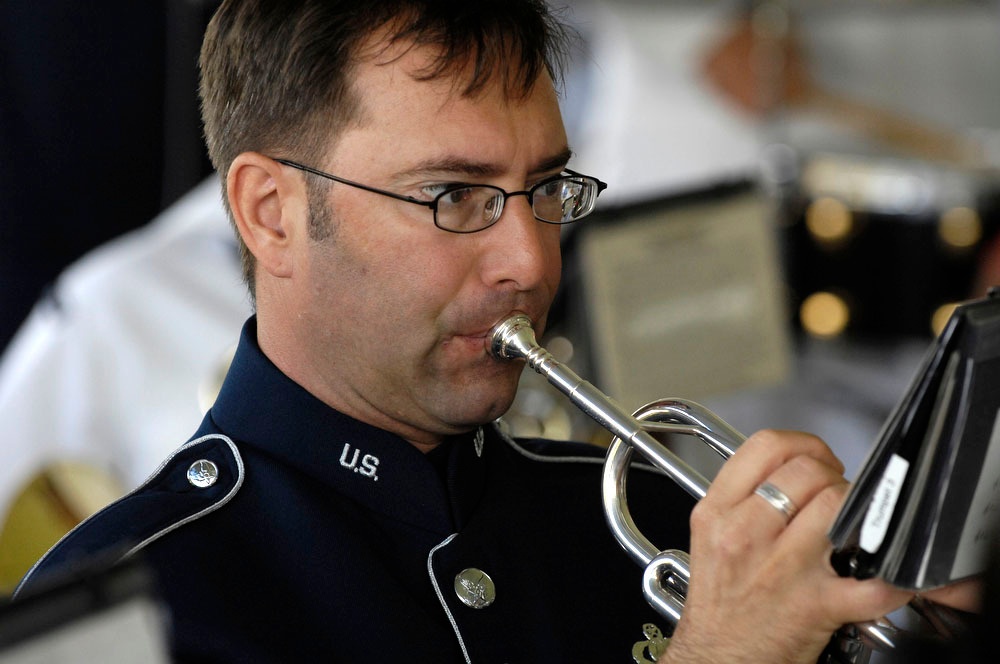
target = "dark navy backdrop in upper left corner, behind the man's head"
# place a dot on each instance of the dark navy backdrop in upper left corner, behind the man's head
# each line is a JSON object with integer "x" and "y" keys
{"x": 99, "y": 130}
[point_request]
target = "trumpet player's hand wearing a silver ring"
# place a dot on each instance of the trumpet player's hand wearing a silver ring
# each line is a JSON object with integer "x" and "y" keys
{"x": 762, "y": 588}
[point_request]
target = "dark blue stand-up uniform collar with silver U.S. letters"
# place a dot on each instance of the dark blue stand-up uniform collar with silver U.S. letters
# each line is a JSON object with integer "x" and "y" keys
{"x": 260, "y": 407}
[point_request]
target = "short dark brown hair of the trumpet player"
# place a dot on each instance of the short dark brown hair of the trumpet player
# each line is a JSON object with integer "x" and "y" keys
{"x": 276, "y": 74}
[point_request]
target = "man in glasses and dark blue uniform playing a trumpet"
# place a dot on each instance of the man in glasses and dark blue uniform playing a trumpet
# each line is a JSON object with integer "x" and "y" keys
{"x": 396, "y": 171}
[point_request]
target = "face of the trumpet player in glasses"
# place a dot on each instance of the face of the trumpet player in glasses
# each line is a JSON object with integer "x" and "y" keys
{"x": 390, "y": 322}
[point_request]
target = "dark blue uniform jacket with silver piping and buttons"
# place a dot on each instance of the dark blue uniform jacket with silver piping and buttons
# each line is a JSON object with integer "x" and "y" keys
{"x": 325, "y": 539}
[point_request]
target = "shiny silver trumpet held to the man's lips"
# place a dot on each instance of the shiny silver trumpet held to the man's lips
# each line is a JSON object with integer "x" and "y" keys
{"x": 667, "y": 573}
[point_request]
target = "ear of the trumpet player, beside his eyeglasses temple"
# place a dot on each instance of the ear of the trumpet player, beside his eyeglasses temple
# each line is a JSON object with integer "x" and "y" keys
{"x": 270, "y": 209}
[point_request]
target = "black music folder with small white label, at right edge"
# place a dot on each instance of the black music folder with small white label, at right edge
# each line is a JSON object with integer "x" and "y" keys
{"x": 927, "y": 500}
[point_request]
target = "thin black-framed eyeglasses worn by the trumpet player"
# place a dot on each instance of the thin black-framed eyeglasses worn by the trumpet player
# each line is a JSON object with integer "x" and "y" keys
{"x": 468, "y": 208}
